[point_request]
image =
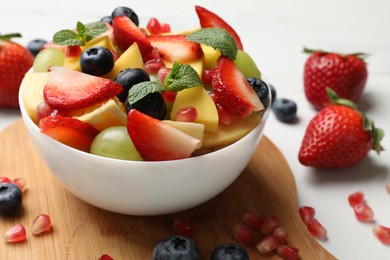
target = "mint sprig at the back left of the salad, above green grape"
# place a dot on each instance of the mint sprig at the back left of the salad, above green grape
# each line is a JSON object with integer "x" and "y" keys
{"x": 85, "y": 33}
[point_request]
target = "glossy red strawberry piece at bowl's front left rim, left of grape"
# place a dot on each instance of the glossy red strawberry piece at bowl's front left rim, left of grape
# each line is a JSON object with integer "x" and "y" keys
{"x": 69, "y": 131}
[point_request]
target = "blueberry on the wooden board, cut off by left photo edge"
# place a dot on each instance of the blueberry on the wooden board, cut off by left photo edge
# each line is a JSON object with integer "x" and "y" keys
{"x": 10, "y": 198}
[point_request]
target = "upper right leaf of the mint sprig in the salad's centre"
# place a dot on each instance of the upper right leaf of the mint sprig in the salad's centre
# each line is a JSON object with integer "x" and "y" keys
{"x": 182, "y": 76}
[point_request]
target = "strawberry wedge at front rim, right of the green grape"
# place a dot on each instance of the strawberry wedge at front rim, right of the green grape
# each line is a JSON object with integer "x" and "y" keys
{"x": 156, "y": 141}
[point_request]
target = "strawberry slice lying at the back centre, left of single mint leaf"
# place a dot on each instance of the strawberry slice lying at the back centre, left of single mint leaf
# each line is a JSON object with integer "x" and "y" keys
{"x": 176, "y": 48}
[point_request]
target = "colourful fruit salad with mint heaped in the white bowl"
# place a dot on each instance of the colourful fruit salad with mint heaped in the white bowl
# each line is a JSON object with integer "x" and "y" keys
{"x": 117, "y": 89}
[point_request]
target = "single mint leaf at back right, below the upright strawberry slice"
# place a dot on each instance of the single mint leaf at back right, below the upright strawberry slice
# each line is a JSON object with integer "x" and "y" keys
{"x": 216, "y": 38}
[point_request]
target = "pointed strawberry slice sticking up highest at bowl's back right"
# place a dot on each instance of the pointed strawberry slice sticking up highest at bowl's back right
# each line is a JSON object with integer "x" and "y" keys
{"x": 209, "y": 19}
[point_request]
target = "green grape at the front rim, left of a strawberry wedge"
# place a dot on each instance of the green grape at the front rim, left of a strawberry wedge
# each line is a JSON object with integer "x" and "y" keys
{"x": 114, "y": 142}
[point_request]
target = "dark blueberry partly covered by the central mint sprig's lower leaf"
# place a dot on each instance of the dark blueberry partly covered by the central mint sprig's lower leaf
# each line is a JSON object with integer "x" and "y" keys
{"x": 152, "y": 105}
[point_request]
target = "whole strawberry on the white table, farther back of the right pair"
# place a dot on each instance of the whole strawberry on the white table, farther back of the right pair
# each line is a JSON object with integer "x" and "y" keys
{"x": 345, "y": 74}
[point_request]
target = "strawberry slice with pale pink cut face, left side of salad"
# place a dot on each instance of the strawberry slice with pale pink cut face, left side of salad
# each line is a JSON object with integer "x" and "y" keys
{"x": 68, "y": 89}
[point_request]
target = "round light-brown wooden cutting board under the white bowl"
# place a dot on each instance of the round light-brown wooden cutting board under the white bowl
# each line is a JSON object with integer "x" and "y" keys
{"x": 81, "y": 231}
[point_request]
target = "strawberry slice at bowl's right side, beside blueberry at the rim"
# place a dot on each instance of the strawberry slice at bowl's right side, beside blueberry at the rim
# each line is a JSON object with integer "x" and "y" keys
{"x": 232, "y": 90}
